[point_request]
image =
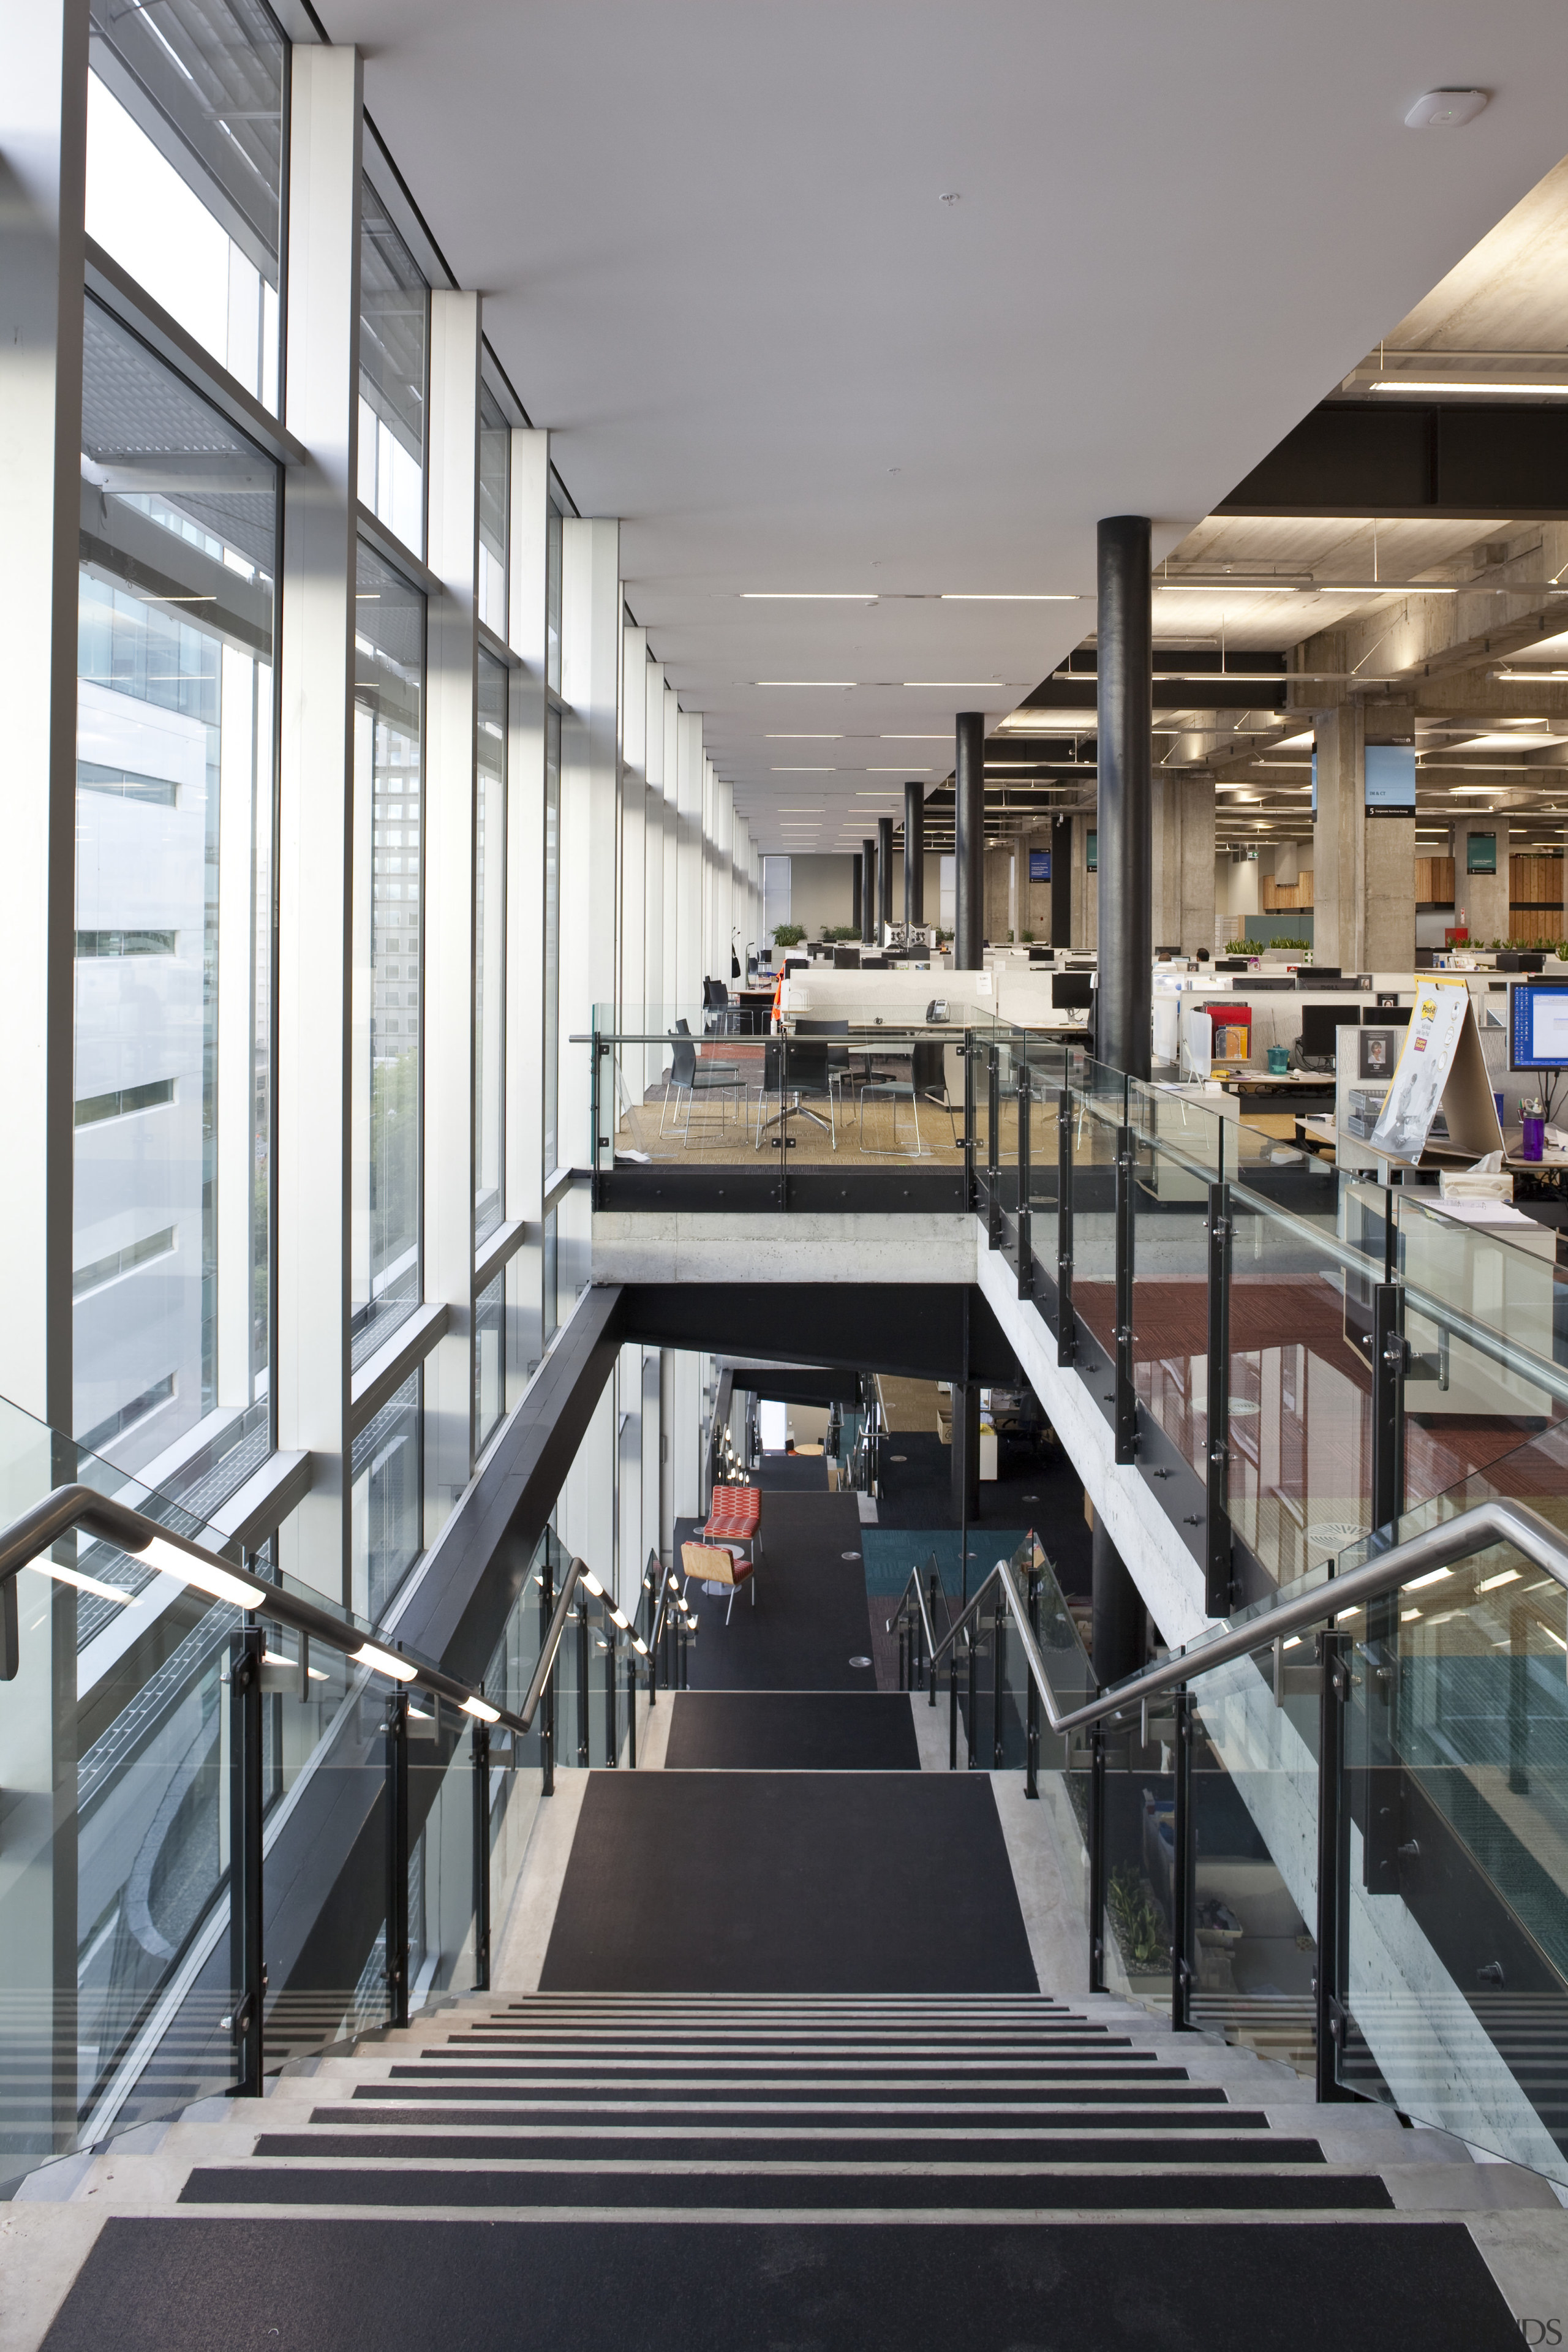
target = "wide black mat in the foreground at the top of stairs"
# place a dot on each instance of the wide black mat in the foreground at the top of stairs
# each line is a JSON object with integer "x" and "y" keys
{"x": 297, "y": 2285}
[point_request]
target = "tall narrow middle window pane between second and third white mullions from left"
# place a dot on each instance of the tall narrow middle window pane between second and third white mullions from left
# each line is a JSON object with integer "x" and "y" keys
{"x": 387, "y": 949}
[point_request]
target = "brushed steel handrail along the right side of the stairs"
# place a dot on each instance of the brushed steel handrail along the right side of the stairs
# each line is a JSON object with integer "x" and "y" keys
{"x": 1442, "y": 1546}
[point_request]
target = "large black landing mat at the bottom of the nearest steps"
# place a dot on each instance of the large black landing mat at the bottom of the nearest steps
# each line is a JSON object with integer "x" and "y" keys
{"x": 789, "y": 1883}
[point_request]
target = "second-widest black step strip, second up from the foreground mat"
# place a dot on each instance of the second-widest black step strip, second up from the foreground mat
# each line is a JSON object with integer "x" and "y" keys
{"x": 648, "y": 2151}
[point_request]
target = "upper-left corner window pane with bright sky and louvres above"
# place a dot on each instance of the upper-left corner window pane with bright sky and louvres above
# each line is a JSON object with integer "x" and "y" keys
{"x": 185, "y": 168}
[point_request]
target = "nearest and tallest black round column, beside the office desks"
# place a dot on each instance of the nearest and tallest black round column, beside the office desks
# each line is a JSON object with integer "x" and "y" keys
{"x": 1125, "y": 810}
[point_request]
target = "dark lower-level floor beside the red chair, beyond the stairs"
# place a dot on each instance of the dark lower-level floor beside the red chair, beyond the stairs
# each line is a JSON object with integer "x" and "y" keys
{"x": 810, "y": 1617}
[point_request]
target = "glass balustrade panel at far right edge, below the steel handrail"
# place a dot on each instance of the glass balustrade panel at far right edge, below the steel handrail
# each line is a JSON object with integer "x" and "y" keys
{"x": 1459, "y": 1855}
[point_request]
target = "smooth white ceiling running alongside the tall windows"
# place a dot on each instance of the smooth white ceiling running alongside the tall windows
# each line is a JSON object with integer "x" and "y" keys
{"x": 718, "y": 265}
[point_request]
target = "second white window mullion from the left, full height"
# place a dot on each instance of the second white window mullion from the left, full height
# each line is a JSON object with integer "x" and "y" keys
{"x": 316, "y": 808}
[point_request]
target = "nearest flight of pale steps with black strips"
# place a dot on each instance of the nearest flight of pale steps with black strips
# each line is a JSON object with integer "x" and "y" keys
{"x": 871, "y": 2109}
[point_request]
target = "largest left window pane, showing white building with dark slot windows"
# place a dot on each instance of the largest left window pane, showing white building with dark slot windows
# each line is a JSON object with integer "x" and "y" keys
{"x": 173, "y": 944}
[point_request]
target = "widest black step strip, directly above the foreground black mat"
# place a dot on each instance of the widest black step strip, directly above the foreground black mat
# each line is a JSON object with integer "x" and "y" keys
{"x": 749, "y": 2193}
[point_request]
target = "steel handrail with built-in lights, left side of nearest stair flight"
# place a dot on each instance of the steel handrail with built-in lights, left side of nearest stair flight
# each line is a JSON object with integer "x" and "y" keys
{"x": 100, "y": 1516}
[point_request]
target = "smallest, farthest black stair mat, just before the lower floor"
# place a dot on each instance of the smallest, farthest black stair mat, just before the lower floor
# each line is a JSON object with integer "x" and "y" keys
{"x": 791, "y": 1732}
